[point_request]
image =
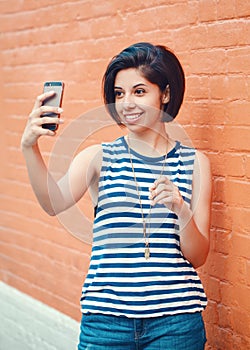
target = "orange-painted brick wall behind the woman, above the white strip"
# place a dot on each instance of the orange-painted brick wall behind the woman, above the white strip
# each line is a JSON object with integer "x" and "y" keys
{"x": 73, "y": 41}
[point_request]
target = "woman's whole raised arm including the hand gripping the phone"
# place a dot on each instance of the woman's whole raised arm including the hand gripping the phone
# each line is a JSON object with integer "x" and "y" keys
{"x": 53, "y": 196}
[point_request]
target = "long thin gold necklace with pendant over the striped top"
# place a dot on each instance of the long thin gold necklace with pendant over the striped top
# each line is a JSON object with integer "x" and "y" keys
{"x": 144, "y": 223}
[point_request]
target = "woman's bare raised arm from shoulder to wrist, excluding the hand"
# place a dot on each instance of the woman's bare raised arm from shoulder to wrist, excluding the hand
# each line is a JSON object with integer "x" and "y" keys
{"x": 55, "y": 197}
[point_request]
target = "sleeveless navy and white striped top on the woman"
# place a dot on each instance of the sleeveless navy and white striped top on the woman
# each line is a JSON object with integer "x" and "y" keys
{"x": 120, "y": 280}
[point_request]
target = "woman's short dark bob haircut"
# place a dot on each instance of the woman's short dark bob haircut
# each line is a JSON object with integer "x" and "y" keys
{"x": 158, "y": 65}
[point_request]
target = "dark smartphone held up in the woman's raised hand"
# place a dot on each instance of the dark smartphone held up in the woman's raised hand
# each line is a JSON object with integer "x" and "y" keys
{"x": 54, "y": 101}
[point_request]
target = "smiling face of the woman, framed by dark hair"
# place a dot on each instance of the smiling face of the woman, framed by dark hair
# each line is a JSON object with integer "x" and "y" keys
{"x": 138, "y": 102}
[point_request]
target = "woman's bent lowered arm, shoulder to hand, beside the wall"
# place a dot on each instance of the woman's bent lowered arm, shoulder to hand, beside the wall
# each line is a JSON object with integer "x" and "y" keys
{"x": 194, "y": 222}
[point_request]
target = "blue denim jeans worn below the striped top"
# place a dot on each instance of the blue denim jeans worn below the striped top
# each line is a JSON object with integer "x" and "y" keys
{"x": 178, "y": 332}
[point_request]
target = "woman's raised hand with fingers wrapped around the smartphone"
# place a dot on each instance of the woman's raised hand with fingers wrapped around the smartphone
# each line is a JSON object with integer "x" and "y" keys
{"x": 34, "y": 129}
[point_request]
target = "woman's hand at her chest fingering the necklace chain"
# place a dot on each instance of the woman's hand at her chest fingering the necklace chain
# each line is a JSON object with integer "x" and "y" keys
{"x": 165, "y": 192}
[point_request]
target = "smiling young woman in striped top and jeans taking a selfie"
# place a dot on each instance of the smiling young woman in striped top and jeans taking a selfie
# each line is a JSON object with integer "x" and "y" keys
{"x": 152, "y": 200}
